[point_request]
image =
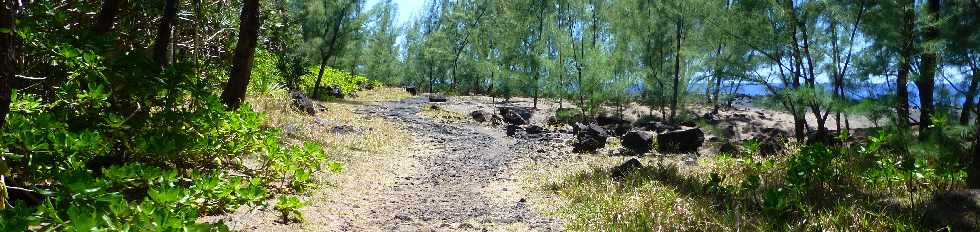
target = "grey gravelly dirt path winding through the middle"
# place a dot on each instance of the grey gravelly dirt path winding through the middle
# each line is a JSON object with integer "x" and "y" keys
{"x": 455, "y": 176}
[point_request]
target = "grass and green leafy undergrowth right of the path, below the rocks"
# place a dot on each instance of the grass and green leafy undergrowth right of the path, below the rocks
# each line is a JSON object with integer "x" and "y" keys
{"x": 861, "y": 187}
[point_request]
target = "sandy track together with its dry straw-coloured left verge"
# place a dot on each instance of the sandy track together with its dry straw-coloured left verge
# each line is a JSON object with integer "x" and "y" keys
{"x": 451, "y": 175}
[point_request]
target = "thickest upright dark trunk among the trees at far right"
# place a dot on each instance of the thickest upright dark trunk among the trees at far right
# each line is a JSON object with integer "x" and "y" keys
{"x": 930, "y": 58}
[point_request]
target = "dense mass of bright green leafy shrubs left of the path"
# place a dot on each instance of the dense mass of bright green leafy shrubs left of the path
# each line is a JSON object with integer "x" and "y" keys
{"x": 114, "y": 142}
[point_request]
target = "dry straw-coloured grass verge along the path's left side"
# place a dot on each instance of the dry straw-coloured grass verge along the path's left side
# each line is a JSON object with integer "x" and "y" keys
{"x": 370, "y": 148}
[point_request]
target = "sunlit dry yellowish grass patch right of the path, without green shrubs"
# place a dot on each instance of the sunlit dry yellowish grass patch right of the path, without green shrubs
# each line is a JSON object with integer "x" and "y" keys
{"x": 712, "y": 195}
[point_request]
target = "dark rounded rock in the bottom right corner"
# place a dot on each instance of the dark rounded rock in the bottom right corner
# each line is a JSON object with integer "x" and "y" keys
{"x": 958, "y": 209}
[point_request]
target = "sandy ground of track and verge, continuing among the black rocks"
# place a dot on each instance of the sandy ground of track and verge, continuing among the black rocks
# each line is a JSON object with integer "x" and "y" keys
{"x": 450, "y": 173}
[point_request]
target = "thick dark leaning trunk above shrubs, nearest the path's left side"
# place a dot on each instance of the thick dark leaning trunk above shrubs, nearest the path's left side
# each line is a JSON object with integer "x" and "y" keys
{"x": 241, "y": 70}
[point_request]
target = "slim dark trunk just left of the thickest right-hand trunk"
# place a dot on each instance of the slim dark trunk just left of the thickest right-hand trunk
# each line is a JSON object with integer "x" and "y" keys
{"x": 905, "y": 66}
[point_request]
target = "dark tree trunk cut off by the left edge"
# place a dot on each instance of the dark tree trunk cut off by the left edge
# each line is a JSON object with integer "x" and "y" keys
{"x": 7, "y": 66}
